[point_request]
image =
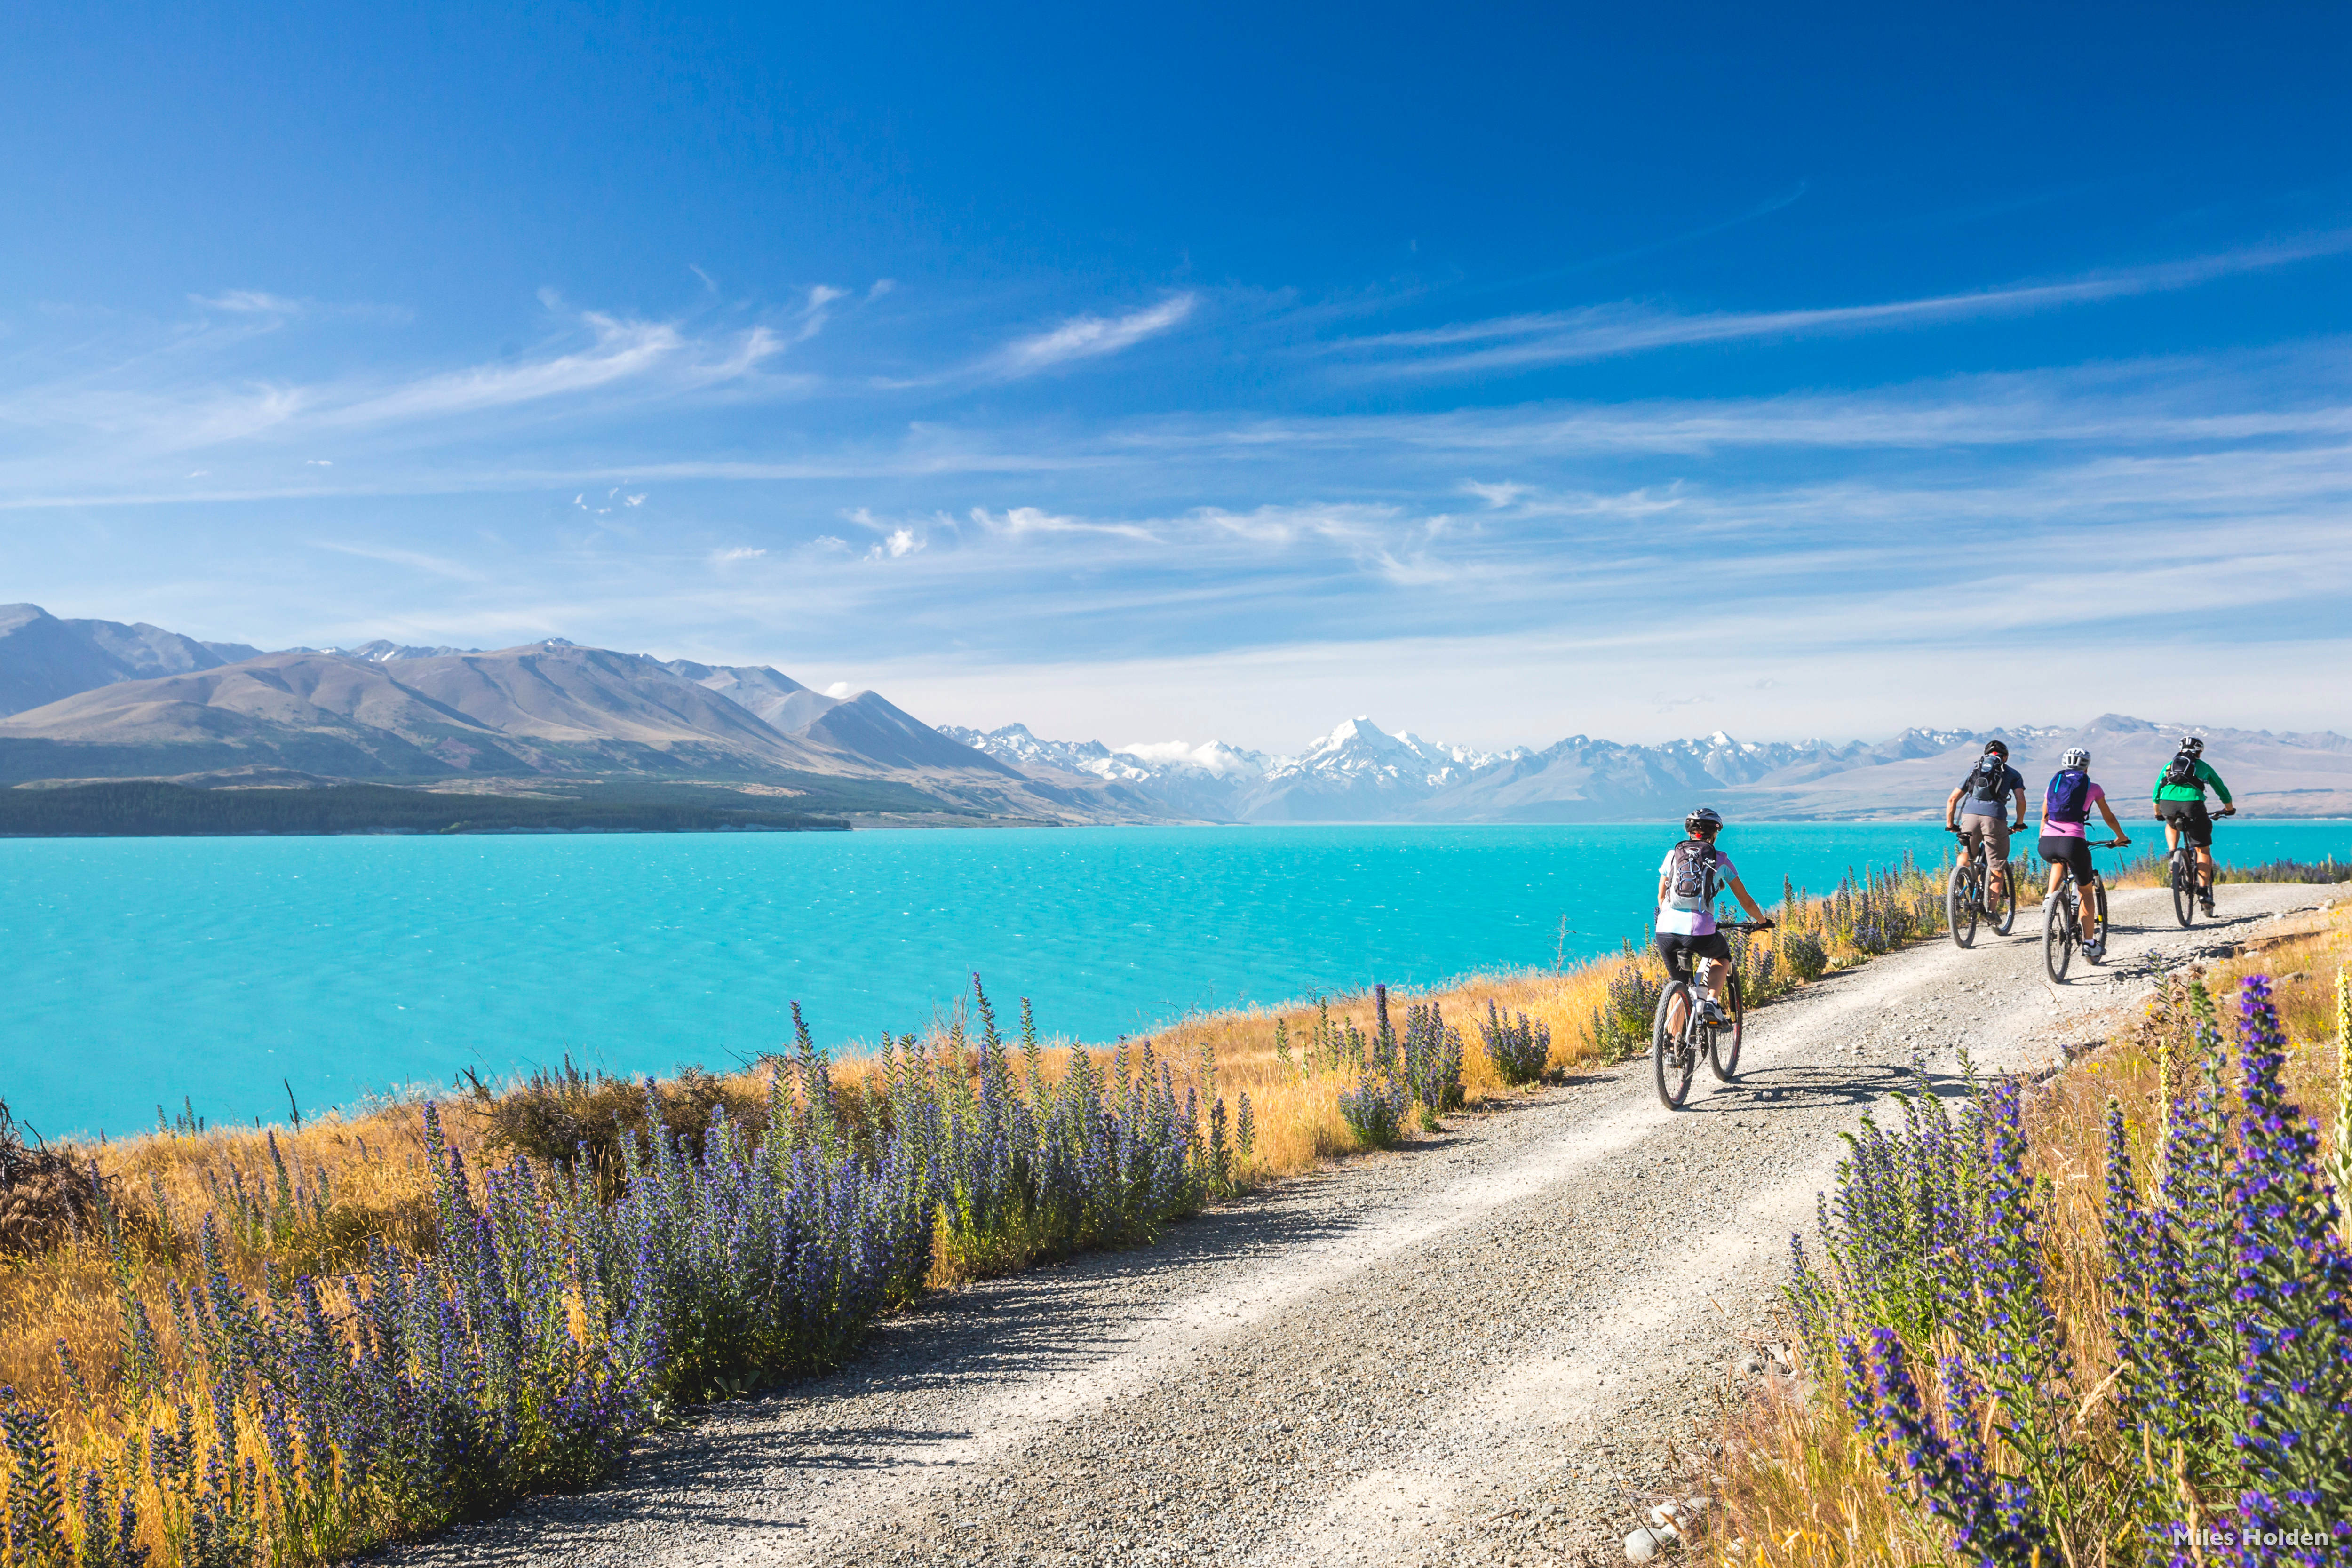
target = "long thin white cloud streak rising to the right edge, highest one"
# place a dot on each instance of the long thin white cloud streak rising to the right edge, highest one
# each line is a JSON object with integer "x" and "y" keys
{"x": 1596, "y": 333}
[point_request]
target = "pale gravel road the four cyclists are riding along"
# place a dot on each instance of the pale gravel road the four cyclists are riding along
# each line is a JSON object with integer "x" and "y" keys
{"x": 1495, "y": 1346}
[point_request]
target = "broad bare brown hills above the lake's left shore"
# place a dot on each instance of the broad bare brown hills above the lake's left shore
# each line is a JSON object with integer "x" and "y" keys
{"x": 535, "y": 711}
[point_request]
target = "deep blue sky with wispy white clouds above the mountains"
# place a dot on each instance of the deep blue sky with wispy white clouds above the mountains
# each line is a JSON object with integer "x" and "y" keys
{"x": 1499, "y": 373}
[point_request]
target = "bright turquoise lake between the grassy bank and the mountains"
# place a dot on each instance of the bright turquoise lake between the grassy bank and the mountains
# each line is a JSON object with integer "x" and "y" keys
{"x": 145, "y": 972}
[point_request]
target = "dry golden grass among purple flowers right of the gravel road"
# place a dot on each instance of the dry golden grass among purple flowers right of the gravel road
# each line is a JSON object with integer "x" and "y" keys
{"x": 1800, "y": 1489}
